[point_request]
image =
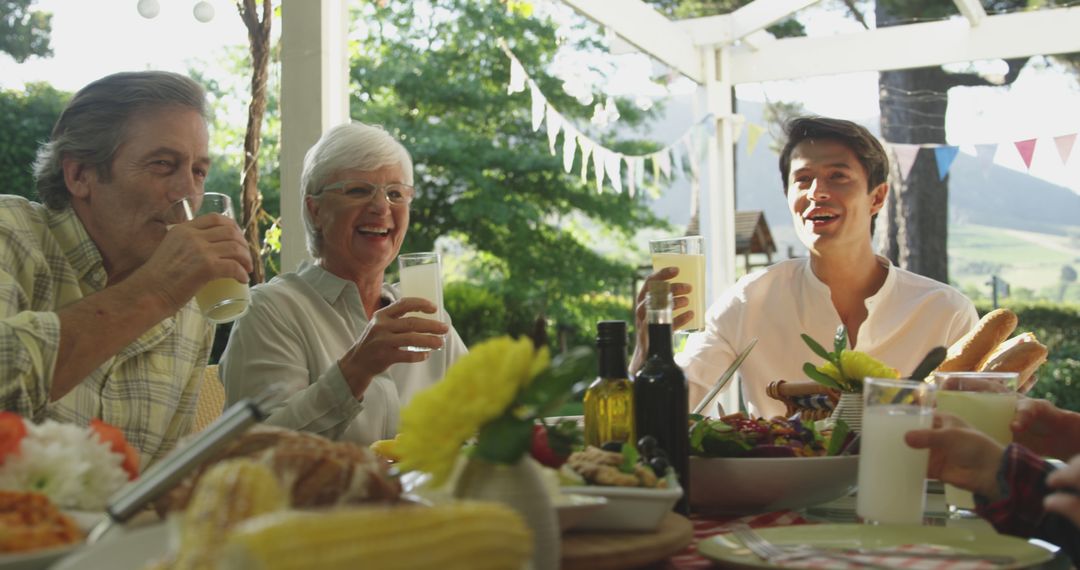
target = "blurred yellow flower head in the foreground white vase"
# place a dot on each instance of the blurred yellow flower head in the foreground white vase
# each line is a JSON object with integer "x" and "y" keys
{"x": 477, "y": 389}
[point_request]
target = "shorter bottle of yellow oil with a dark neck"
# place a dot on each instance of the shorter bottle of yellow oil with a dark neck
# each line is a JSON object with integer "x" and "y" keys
{"x": 610, "y": 400}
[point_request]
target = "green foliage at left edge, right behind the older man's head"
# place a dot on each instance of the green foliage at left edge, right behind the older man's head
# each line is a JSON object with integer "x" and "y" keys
{"x": 29, "y": 118}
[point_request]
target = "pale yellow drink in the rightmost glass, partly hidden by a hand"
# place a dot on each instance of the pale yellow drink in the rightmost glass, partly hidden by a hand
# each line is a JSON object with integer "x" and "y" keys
{"x": 990, "y": 413}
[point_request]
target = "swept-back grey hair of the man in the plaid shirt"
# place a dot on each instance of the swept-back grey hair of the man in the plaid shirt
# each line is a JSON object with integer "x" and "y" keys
{"x": 94, "y": 125}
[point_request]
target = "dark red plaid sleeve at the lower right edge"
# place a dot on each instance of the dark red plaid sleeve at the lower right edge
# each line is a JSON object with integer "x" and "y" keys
{"x": 1023, "y": 480}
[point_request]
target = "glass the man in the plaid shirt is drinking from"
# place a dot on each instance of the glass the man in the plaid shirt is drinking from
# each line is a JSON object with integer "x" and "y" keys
{"x": 222, "y": 301}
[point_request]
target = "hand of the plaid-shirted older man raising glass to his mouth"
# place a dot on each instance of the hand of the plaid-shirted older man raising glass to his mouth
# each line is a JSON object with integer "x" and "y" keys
{"x": 194, "y": 254}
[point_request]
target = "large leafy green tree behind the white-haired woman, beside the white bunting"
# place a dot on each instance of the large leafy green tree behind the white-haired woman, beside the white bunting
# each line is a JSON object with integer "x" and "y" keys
{"x": 434, "y": 74}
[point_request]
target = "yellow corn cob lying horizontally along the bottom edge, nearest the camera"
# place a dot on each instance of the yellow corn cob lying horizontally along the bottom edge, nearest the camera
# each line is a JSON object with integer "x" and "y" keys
{"x": 464, "y": 536}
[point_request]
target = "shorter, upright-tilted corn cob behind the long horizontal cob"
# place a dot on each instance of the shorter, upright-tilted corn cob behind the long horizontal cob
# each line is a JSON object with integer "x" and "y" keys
{"x": 228, "y": 494}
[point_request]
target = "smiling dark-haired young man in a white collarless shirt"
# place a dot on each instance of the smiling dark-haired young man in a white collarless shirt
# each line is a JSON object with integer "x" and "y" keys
{"x": 835, "y": 179}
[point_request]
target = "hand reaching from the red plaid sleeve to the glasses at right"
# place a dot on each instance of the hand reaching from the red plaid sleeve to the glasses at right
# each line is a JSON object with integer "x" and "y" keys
{"x": 960, "y": 455}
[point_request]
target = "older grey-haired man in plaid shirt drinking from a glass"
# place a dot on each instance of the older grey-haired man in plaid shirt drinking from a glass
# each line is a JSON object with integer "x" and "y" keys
{"x": 96, "y": 291}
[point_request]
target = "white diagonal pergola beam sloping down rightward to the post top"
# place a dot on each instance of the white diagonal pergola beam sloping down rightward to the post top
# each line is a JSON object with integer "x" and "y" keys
{"x": 650, "y": 31}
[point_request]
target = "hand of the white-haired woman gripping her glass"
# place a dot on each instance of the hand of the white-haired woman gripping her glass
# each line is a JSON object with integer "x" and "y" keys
{"x": 382, "y": 344}
